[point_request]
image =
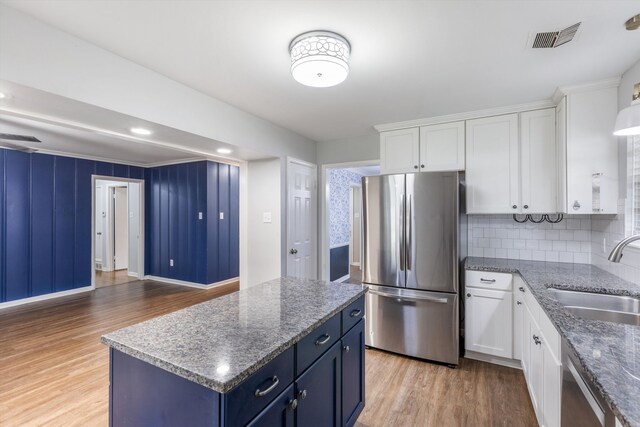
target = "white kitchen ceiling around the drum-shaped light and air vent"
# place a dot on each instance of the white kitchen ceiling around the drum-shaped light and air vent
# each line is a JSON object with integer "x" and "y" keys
{"x": 410, "y": 59}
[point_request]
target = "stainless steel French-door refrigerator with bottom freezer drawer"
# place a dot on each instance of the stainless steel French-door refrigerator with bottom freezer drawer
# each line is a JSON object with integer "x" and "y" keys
{"x": 411, "y": 258}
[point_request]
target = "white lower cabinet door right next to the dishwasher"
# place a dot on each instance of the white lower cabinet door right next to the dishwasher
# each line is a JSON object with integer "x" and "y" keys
{"x": 551, "y": 388}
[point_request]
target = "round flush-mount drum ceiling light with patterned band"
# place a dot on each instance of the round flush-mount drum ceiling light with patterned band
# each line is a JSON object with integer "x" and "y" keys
{"x": 320, "y": 58}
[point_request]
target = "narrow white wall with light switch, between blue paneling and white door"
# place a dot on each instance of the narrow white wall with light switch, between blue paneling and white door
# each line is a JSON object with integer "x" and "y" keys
{"x": 263, "y": 250}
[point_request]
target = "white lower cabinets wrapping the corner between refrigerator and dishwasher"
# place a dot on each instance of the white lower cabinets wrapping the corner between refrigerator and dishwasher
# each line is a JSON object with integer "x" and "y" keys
{"x": 512, "y": 325}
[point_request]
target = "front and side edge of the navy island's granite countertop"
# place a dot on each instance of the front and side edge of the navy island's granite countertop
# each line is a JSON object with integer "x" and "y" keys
{"x": 235, "y": 381}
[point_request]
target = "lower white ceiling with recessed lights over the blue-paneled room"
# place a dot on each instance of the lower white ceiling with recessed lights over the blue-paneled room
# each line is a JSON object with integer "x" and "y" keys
{"x": 71, "y": 127}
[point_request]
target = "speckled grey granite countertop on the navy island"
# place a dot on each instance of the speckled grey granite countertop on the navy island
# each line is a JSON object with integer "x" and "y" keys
{"x": 221, "y": 342}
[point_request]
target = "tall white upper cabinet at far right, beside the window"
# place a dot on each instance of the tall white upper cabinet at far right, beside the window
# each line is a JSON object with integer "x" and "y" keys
{"x": 588, "y": 152}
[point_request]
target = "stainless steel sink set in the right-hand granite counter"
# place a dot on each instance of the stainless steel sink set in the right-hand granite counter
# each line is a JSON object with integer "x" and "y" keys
{"x": 609, "y": 308}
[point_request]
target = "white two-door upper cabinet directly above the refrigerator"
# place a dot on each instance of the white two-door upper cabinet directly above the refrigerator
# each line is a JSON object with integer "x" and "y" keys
{"x": 428, "y": 148}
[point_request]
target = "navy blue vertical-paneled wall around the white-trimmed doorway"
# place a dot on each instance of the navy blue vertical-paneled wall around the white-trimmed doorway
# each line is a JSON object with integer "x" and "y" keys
{"x": 45, "y": 221}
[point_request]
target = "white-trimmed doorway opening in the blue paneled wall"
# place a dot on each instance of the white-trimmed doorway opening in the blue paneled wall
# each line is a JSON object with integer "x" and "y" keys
{"x": 117, "y": 237}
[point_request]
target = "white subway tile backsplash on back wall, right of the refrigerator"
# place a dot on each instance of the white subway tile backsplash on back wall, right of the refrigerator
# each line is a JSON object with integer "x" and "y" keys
{"x": 499, "y": 236}
